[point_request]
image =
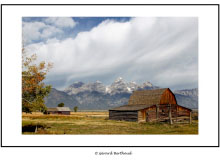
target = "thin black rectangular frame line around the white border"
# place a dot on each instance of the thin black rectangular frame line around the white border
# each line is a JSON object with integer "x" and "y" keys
{"x": 113, "y": 5}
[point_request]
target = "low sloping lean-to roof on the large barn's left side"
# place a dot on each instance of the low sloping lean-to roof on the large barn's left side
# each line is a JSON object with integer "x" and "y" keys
{"x": 130, "y": 108}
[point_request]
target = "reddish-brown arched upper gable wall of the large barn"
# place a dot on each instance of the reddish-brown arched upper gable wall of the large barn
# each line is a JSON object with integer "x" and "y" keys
{"x": 168, "y": 98}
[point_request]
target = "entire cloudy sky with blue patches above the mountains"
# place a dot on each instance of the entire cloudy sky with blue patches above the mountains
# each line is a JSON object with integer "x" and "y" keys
{"x": 163, "y": 51}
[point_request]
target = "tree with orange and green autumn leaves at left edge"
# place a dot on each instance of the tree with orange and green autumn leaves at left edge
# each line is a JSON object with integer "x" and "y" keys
{"x": 33, "y": 89}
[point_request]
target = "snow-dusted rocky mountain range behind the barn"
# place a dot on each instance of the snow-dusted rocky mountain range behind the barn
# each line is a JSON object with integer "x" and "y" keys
{"x": 97, "y": 96}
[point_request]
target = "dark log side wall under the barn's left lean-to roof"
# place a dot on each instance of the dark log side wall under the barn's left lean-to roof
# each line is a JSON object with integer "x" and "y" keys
{"x": 123, "y": 115}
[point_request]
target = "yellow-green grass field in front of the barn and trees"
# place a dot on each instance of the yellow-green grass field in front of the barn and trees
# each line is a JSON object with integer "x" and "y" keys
{"x": 97, "y": 123}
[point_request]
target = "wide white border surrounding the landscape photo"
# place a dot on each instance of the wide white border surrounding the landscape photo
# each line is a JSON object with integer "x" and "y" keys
{"x": 208, "y": 75}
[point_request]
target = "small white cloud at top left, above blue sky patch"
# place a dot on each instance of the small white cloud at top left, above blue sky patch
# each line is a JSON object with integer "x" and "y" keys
{"x": 61, "y": 21}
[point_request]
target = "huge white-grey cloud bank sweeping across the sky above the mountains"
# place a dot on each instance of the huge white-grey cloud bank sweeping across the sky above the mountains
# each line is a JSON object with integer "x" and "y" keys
{"x": 161, "y": 50}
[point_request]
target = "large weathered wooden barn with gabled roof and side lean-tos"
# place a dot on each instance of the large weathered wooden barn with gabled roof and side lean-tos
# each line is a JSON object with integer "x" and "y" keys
{"x": 151, "y": 105}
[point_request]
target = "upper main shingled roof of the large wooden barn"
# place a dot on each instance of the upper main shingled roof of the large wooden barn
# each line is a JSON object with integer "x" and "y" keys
{"x": 147, "y": 97}
